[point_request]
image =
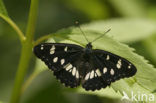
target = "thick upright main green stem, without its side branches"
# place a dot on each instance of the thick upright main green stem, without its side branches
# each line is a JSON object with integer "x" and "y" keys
{"x": 25, "y": 53}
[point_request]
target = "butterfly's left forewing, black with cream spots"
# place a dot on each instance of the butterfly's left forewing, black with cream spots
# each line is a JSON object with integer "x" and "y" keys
{"x": 57, "y": 55}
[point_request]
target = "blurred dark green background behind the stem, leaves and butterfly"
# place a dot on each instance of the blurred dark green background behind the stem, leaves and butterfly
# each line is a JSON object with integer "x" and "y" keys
{"x": 55, "y": 15}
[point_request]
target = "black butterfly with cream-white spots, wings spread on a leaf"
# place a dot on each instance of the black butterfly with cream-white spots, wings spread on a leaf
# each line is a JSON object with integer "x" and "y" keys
{"x": 74, "y": 65}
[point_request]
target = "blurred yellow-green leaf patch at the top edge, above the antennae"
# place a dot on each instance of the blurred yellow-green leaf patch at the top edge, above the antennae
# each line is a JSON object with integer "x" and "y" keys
{"x": 95, "y": 9}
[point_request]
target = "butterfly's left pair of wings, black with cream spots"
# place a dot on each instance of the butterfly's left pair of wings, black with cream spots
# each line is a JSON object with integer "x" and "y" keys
{"x": 60, "y": 58}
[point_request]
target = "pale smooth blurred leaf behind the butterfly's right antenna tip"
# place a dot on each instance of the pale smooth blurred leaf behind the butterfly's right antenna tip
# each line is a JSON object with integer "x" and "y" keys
{"x": 124, "y": 30}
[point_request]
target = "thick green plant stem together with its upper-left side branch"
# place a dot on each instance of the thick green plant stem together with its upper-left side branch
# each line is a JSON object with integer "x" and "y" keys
{"x": 26, "y": 47}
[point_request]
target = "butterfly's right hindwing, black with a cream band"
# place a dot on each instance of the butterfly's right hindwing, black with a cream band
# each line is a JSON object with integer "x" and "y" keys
{"x": 93, "y": 79}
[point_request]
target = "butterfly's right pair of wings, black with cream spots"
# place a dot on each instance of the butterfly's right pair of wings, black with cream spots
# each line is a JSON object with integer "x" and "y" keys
{"x": 106, "y": 68}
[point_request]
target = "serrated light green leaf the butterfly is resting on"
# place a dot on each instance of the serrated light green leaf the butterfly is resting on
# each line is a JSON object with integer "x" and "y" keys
{"x": 143, "y": 82}
